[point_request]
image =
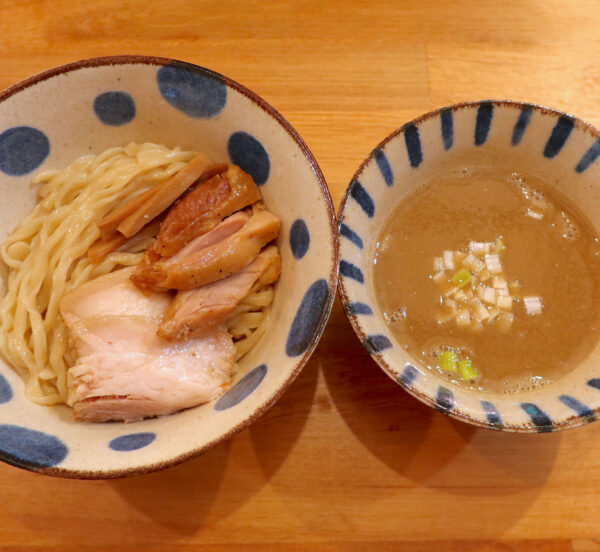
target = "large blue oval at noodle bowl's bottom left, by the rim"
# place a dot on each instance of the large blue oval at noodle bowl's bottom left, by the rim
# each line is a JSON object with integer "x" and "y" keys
{"x": 30, "y": 449}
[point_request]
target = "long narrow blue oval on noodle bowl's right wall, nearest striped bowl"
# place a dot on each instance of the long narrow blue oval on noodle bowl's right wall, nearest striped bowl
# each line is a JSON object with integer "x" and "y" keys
{"x": 307, "y": 319}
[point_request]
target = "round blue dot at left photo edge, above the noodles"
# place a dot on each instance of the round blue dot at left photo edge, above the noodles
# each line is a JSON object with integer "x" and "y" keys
{"x": 22, "y": 150}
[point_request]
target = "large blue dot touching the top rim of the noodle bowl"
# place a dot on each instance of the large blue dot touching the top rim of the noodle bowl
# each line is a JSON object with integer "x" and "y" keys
{"x": 192, "y": 90}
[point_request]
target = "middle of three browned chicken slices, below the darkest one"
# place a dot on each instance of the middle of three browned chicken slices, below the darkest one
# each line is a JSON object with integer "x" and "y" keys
{"x": 204, "y": 261}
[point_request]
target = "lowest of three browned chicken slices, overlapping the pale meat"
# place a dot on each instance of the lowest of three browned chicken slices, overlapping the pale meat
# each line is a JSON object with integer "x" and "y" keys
{"x": 197, "y": 311}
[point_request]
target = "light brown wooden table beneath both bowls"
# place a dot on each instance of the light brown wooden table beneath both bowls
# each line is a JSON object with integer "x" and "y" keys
{"x": 346, "y": 459}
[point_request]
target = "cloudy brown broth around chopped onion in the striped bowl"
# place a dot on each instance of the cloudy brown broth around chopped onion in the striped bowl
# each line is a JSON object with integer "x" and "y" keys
{"x": 556, "y": 258}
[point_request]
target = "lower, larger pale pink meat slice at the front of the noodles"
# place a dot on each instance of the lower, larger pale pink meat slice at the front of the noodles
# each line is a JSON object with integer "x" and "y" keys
{"x": 125, "y": 371}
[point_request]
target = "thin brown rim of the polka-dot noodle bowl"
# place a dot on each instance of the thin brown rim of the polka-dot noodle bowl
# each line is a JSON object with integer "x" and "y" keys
{"x": 126, "y": 59}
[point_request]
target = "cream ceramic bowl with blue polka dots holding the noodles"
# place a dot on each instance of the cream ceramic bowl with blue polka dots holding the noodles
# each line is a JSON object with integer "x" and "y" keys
{"x": 50, "y": 120}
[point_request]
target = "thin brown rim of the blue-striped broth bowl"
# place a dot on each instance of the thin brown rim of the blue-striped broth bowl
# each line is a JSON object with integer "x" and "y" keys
{"x": 526, "y": 428}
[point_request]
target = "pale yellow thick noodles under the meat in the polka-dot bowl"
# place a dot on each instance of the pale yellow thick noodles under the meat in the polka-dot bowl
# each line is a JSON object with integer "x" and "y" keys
{"x": 46, "y": 257}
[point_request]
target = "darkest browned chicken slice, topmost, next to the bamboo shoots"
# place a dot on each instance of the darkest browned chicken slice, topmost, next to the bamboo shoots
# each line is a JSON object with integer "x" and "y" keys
{"x": 205, "y": 207}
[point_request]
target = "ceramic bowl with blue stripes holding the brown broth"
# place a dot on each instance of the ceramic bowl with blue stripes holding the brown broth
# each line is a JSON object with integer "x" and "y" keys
{"x": 551, "y": 145}
